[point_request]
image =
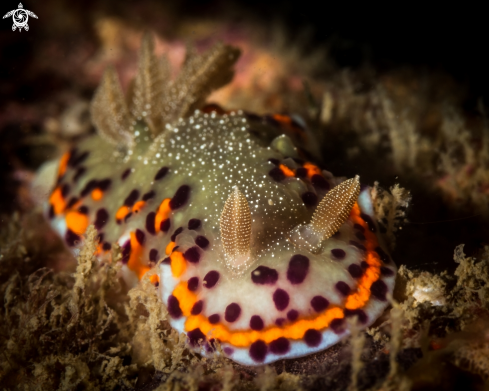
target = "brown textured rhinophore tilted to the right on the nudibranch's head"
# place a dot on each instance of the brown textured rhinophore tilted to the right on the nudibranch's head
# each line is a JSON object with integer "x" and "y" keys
{"x": 335, "y": 207}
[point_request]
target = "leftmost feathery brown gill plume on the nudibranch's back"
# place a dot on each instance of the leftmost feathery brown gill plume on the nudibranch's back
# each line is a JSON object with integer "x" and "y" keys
{"x": 109, "y": 111}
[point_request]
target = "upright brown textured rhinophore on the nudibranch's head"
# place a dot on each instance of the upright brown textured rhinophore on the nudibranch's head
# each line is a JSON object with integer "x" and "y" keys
{"x": 235, "y": 225}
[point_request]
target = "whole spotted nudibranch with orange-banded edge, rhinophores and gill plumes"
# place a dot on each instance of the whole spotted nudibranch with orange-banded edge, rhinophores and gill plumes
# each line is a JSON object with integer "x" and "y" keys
{"x": 255, "y": 246}
